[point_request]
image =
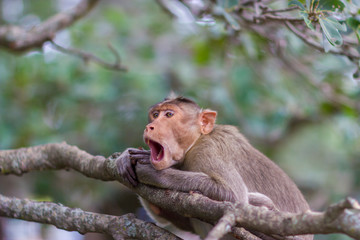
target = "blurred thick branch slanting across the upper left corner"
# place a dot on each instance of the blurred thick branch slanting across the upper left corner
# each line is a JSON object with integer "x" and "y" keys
{"x": 19, "y": 39}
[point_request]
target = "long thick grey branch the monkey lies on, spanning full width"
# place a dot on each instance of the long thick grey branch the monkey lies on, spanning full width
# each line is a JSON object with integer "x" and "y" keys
{"x": 343, "y": 217}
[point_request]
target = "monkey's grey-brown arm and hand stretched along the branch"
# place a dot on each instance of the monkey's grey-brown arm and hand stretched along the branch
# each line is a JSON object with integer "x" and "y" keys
{"x": 184, "y": 181}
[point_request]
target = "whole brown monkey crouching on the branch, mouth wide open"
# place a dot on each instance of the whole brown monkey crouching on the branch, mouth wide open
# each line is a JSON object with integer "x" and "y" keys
{"x": 189, "y": 152}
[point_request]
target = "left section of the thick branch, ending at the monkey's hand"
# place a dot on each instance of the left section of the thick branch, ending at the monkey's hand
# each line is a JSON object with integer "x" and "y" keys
{"x": 57, "y": 156}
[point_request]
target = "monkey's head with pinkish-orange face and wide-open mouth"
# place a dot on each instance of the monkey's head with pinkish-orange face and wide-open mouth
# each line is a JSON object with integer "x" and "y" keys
{"x": 174, "y": 126}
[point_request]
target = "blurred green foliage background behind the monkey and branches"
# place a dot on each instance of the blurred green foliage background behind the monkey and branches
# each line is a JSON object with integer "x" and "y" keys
{"x": 297, "y": 106}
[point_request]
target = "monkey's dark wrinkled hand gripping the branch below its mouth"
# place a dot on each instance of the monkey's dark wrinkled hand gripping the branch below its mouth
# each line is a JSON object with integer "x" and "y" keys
{"x": 126, "y": 163}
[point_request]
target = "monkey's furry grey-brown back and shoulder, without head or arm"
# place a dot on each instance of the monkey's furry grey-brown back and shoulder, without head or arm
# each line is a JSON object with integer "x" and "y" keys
{"x": 227, "y": 157}
